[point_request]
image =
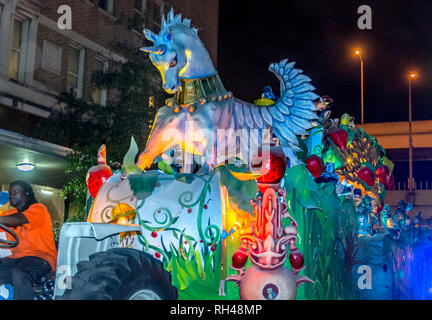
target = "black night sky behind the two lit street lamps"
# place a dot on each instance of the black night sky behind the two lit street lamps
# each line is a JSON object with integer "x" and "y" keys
{"x": 321, "y": 36}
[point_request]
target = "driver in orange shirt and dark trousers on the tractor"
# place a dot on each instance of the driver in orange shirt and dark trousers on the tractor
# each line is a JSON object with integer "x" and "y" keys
{"x": 36, "y": 253}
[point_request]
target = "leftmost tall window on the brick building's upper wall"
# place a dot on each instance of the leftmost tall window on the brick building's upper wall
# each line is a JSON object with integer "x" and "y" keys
{"x": 18, "y": 51}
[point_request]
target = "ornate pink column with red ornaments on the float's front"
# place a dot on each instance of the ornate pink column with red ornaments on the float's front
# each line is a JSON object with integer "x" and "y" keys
{"x": 268, "y": 245}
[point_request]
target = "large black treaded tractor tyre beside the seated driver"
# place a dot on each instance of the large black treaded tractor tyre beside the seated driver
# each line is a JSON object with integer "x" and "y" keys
{"x": 121, "y": 274}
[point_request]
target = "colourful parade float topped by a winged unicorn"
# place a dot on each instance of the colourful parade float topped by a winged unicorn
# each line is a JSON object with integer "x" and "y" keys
{"x": 266, "y": 200}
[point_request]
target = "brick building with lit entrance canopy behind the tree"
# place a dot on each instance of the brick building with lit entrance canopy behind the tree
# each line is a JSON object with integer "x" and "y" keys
{"x": 40, "y": 59}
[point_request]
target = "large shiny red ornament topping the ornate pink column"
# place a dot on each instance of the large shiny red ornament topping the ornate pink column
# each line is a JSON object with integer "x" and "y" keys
{"x": 271, "y": 167}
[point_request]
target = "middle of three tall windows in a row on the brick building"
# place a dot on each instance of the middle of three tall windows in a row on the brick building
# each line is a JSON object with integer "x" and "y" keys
{"x": 75, "y": 71}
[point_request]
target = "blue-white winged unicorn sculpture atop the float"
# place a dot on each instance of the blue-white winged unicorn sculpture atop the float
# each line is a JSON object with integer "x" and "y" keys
{"x": 204, "y": 118}
